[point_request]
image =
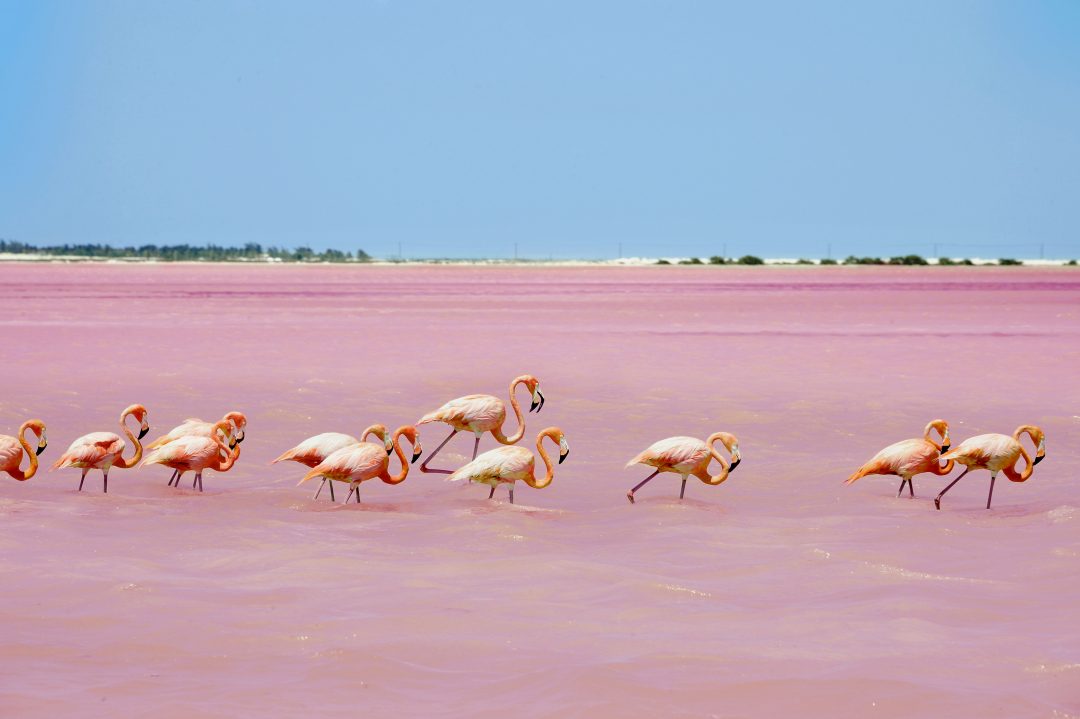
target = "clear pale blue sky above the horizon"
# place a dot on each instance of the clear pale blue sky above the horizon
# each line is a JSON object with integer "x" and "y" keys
{"x": 461, "y": 129}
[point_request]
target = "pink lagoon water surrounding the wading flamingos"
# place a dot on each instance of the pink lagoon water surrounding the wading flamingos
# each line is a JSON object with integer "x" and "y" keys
{"x": 781, "y": 592}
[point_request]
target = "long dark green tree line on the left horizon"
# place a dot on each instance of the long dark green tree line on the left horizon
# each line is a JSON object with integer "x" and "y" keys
{"x": 251, "y": 252}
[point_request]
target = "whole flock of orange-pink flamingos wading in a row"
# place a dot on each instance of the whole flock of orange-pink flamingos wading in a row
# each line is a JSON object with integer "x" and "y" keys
{"x": 197, "y": 446}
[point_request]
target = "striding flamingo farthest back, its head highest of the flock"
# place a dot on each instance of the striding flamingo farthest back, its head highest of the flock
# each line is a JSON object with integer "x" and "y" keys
{"x": 480, "y": 414}
